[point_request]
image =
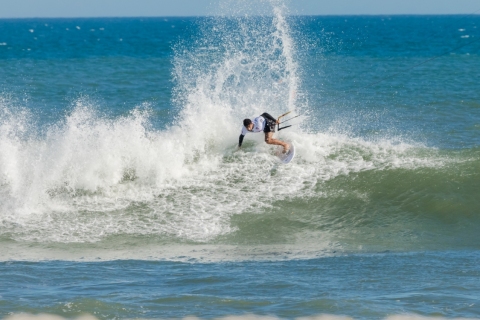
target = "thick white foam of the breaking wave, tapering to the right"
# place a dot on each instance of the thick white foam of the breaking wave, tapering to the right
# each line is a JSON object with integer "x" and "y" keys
{"x": 89, "y": 177}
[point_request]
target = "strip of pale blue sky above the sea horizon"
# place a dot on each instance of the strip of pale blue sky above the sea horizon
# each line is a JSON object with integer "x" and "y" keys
{"x": 162, "y": 8}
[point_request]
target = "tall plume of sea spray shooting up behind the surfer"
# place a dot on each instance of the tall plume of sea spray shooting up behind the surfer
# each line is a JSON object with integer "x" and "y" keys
{"x": 241, "y": 64}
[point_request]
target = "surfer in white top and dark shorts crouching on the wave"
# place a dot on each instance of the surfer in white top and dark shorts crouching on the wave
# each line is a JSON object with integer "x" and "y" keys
{"x": 265, "y": 123}
